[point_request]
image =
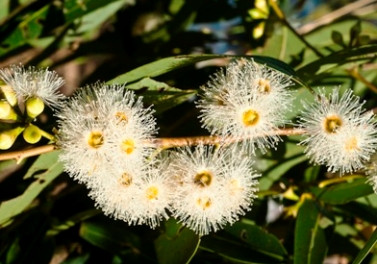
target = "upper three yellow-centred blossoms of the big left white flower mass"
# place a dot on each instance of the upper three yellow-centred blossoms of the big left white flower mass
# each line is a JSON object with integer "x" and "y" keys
{"x": 100, "y": 126}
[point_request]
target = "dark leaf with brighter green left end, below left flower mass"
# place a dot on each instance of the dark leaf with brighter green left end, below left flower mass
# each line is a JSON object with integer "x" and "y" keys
{"x": 111, "y": 237}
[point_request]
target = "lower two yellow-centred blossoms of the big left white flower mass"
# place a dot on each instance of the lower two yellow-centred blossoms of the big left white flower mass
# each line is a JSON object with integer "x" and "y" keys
{"x": 136, "y": 196}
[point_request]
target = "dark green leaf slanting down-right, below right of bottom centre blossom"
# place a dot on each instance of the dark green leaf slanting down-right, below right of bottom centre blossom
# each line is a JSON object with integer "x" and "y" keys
{"x": 258, "y": 239}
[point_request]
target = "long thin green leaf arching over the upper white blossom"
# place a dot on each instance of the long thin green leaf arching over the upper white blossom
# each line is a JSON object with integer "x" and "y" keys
{"x": 165, "y": 65}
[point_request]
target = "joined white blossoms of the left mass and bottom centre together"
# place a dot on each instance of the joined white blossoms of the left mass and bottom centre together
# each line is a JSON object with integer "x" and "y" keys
{"x": 105, "y": 135}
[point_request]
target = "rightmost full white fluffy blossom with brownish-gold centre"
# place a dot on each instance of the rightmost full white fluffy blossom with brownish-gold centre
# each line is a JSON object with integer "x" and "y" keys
{"x": 340, "y": 135}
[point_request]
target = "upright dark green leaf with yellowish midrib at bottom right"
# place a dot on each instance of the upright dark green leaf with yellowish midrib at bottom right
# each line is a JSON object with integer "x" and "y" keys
{"x": 310, "y": 244}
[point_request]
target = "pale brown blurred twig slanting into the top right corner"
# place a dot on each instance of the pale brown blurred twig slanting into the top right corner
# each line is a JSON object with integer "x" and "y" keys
{"x": 330, "y": 17}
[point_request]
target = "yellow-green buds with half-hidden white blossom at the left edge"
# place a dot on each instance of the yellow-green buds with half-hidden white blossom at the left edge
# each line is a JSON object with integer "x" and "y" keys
{"x": 23, "y": 97}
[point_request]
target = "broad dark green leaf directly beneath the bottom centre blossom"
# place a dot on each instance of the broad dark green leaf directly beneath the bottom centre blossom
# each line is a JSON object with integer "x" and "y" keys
{"x": 177, "y": 245}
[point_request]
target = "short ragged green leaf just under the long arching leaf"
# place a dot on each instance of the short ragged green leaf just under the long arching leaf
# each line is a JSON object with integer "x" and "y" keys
{"x": 160, "y": 94}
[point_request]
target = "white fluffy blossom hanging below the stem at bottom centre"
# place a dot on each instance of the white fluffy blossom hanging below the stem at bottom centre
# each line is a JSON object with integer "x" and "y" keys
{"x": 213, "y": 187}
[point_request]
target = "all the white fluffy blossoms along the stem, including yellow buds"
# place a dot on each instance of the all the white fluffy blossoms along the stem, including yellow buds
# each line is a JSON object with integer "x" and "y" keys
{"x": 107, "y": 138}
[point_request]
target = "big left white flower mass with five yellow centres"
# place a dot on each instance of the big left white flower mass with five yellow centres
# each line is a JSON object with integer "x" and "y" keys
{"x": 104, "y": 134}
